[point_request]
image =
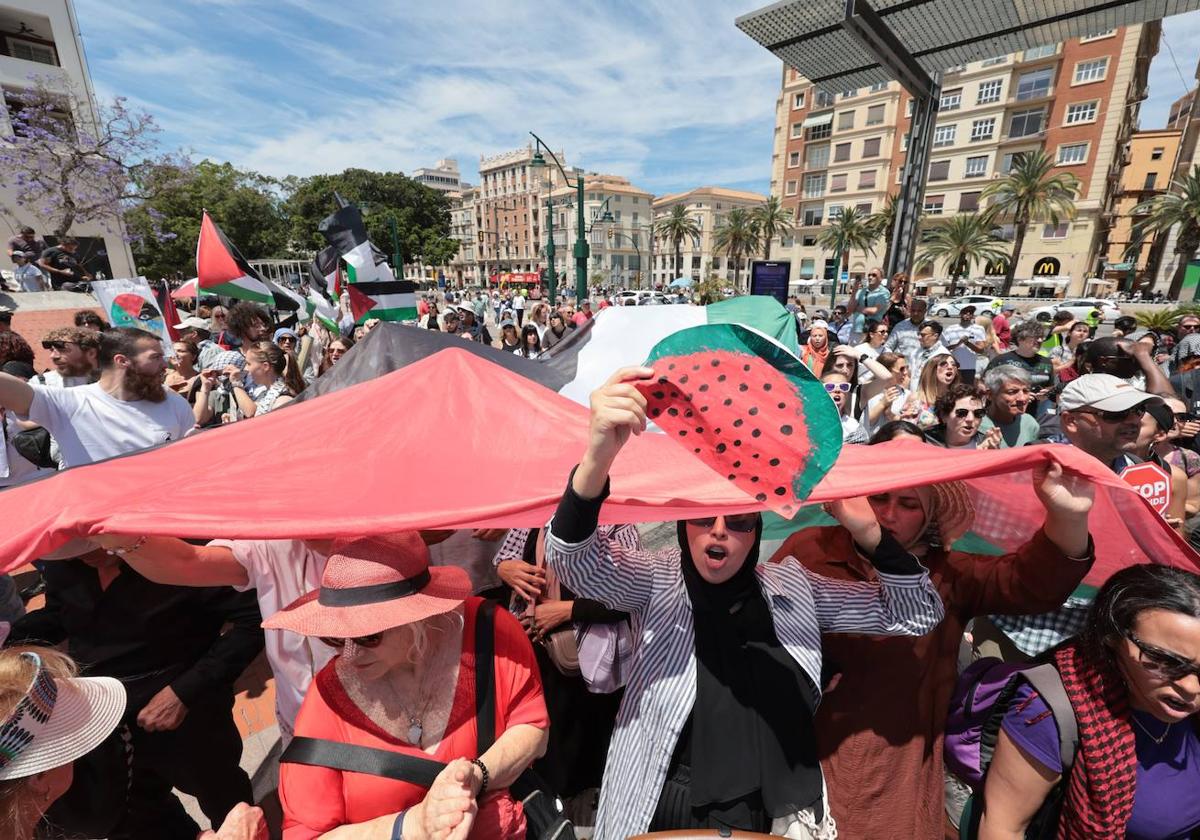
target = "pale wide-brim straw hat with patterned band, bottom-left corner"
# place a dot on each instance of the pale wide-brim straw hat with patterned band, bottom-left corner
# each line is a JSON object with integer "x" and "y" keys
{"x": 58, "y": 722}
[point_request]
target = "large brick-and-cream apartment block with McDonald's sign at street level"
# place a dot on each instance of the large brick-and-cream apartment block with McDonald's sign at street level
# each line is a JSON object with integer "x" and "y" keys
{"x": 1077, "y": 101}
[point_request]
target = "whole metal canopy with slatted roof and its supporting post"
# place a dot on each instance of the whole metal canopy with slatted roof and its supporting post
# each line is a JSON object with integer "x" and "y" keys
{"x": 843, "y": 45}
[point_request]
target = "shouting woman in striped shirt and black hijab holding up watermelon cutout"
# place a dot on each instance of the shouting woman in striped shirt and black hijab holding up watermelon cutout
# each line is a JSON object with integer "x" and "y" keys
{"x": 699, "y": 742}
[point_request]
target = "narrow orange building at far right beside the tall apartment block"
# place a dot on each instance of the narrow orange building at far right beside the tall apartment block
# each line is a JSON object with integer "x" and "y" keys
{"x": 1149, "y": 164}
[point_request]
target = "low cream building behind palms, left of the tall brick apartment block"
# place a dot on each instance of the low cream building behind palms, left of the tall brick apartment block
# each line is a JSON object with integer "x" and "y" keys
{"x": 709, "y": 207}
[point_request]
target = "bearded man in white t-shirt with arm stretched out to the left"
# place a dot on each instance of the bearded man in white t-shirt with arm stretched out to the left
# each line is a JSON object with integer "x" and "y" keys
{"x": 128, "y": 410}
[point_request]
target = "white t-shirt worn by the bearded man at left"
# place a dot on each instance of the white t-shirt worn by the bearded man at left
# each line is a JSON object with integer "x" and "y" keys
{"x": 91, "y": 425}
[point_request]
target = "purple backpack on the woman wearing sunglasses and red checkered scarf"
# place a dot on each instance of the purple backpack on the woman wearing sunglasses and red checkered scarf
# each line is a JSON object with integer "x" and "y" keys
{"x": 982, "y": 698}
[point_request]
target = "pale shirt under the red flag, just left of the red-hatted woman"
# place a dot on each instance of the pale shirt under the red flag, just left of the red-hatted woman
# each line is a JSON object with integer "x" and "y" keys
{"x": 281, "y": 572}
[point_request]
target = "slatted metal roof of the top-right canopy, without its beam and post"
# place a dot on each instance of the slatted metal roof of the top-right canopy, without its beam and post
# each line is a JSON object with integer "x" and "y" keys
{"x": 812, "y": 35}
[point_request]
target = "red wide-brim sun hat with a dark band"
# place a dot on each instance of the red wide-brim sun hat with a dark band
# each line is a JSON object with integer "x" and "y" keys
{"x": 373, "y": 585}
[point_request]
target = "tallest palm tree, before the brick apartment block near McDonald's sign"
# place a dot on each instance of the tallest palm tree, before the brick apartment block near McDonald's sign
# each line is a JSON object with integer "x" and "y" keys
{"x": 1027, "y": 194}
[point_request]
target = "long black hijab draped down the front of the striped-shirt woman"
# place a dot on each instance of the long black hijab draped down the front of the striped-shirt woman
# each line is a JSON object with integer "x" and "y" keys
{"x": 752, "y": 727}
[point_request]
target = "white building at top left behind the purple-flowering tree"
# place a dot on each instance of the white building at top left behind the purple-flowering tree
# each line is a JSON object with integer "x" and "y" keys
{"x": 41, "y": 38}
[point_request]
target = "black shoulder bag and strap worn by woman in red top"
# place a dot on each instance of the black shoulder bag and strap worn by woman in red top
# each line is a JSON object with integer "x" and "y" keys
{"x": 545, "y": 819}
